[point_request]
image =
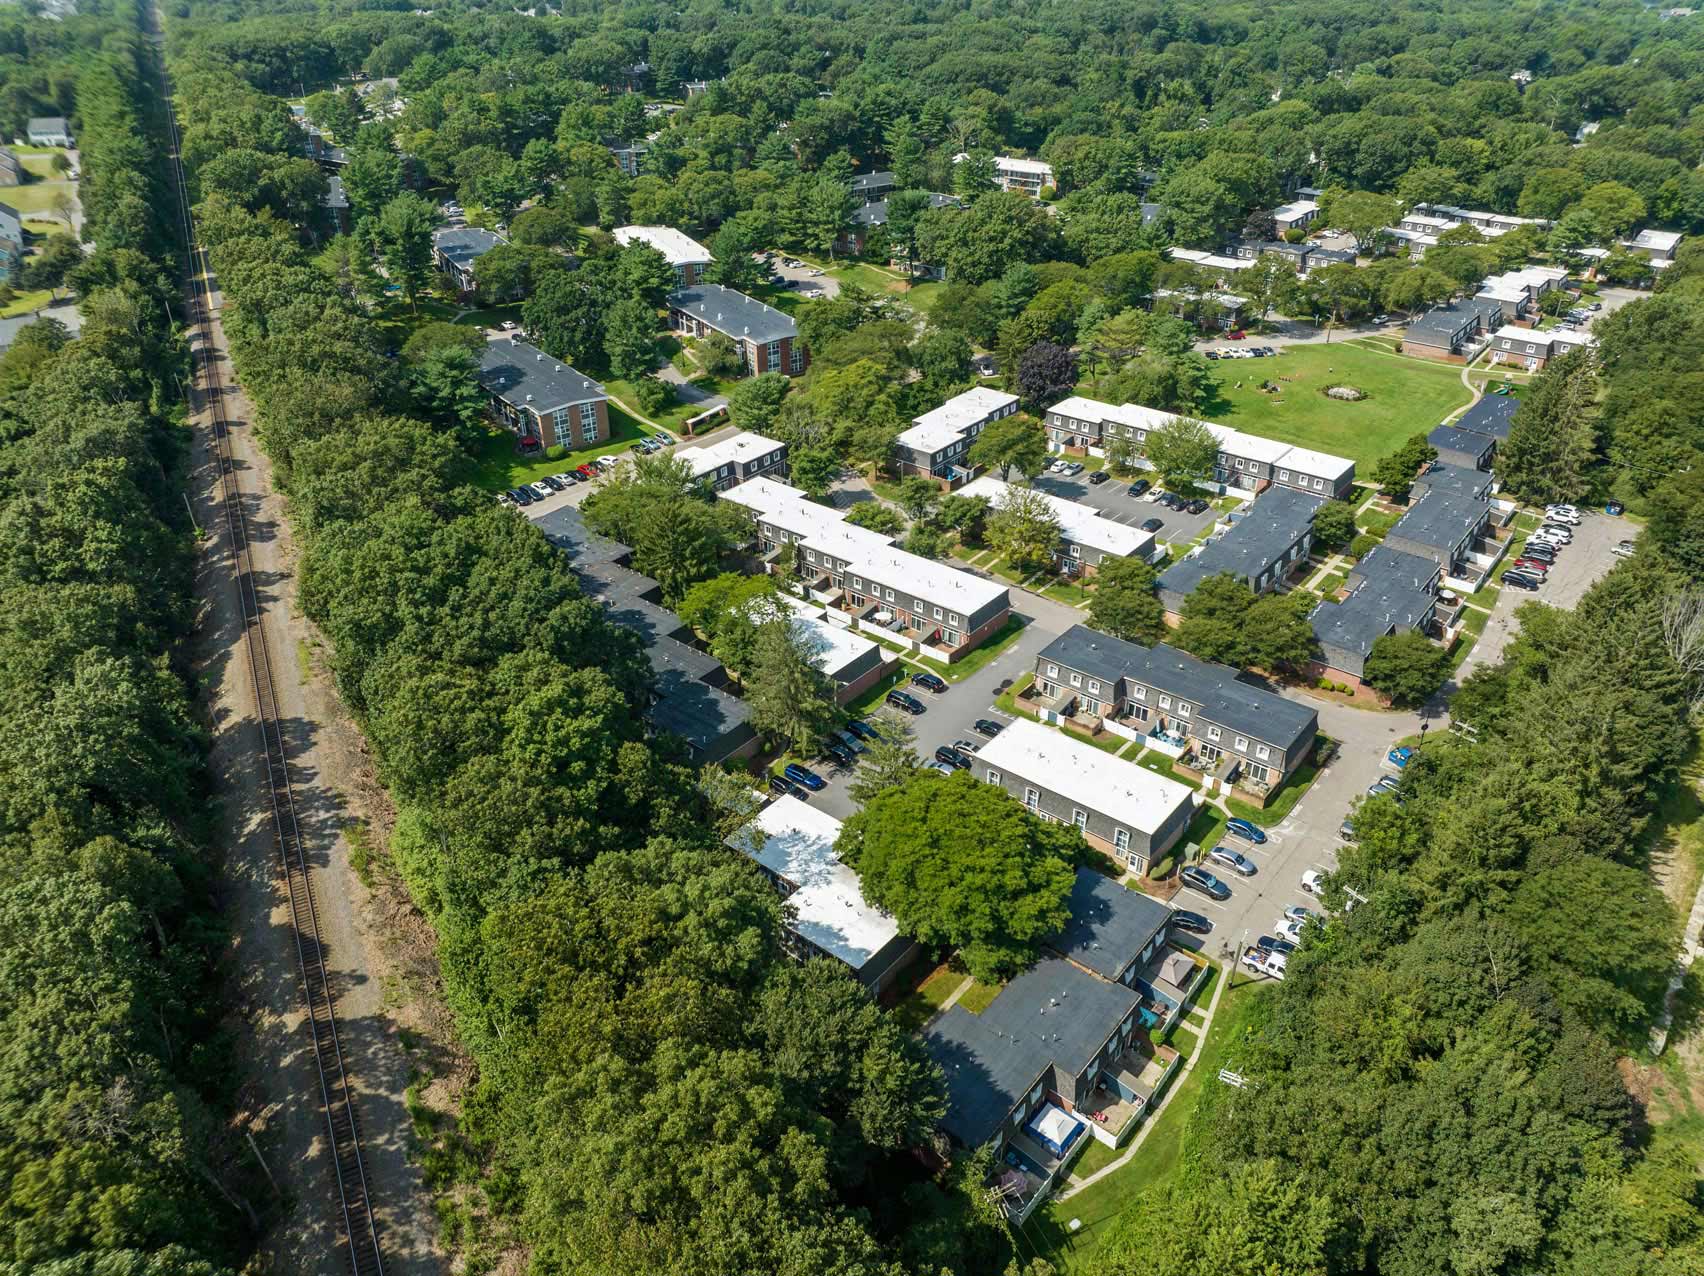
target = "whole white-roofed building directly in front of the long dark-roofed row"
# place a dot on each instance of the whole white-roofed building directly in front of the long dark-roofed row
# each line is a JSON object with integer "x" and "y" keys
{"x": 1120, "y": 808}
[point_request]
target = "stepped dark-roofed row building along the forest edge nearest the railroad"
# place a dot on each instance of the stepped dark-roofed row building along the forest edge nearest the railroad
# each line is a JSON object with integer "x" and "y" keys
{"x": 688, "y": 699}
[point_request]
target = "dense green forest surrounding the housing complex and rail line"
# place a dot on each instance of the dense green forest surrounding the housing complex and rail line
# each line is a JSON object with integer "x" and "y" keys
{"x": 657, "y": 1086}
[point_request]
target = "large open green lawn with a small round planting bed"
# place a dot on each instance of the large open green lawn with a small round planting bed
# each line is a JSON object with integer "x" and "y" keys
{"x": 1405, "y": 396}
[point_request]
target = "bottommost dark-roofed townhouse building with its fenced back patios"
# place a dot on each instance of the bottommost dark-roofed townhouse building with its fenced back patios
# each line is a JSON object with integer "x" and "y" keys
{"x": 1069, "y": 1050}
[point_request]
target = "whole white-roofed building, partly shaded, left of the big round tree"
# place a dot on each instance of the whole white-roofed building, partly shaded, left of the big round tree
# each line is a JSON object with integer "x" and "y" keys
{"x": 827, "y": 912}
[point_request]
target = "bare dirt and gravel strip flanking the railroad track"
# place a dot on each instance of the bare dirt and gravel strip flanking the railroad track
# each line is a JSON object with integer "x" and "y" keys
{"x": 379, "y": 951}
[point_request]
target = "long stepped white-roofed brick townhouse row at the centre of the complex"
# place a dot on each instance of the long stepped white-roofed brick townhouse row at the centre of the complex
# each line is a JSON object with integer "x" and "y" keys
{"x": 863, "y": 573}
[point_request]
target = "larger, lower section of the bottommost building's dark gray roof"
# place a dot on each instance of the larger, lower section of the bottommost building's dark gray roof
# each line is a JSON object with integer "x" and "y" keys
{"x": 991, "y": 1060}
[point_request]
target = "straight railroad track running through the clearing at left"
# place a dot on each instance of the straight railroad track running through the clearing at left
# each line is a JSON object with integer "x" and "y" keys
{"x": 355, "y": 1200}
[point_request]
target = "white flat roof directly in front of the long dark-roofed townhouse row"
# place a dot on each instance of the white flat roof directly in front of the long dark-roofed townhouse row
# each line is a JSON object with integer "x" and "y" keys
{"x": 1079, "y": 773}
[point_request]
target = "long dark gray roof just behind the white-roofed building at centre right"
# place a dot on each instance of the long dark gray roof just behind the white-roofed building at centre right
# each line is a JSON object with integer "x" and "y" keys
{"x": 1212, "y": 687}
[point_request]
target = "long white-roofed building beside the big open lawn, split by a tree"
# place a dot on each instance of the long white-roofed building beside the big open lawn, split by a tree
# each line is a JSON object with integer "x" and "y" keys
{"x": 1248, "y": 463}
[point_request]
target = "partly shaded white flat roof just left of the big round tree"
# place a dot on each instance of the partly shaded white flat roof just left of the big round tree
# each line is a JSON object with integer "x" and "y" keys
{"x": 829, "y": 909}
